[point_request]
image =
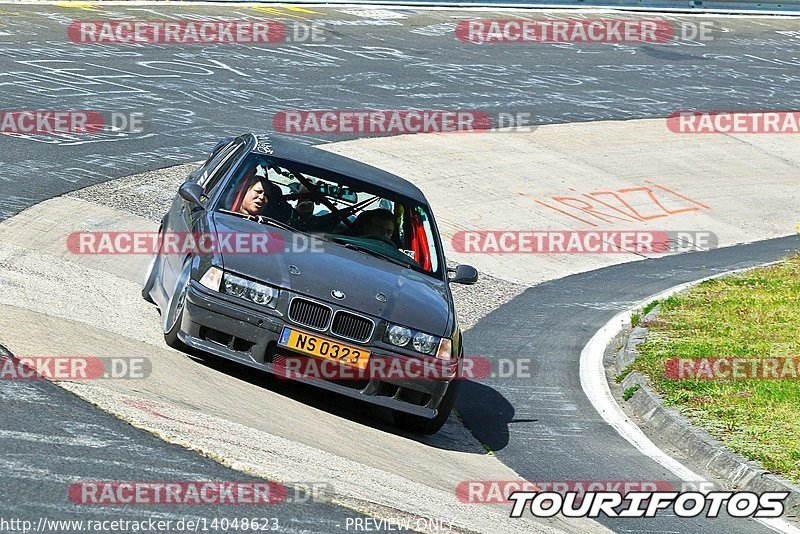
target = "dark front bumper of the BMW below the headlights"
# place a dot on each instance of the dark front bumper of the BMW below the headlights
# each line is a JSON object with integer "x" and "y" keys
{"x": 225, "y": 328}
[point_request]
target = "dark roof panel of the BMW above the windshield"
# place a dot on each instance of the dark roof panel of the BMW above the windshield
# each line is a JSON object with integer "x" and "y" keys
{"x": 358, "y": 173}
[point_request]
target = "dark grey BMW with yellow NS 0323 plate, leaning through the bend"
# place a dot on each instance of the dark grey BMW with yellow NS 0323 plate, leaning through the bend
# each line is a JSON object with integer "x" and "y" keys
{"x": 314, "y": 267}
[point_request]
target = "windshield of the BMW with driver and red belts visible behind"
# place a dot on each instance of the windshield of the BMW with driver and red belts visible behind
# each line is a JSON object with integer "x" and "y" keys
{"x": 392, "y": 228}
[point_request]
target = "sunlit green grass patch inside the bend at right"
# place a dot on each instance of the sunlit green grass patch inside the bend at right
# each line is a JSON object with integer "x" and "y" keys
{"x": 755, "y": 315}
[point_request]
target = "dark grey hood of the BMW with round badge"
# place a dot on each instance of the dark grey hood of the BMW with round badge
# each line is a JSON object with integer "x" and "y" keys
{"x": 411, "y": 298}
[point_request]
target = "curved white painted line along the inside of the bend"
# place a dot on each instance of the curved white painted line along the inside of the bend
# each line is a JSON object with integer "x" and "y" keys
{"x": 596, "y": 388}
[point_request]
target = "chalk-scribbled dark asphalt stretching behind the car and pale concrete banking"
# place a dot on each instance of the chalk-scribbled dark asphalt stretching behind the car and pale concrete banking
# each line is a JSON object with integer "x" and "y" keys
{"x": 192, "y": 95}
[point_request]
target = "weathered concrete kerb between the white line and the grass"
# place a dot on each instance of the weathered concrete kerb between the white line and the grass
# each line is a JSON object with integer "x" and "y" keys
{"x": 735, "y": 471}
